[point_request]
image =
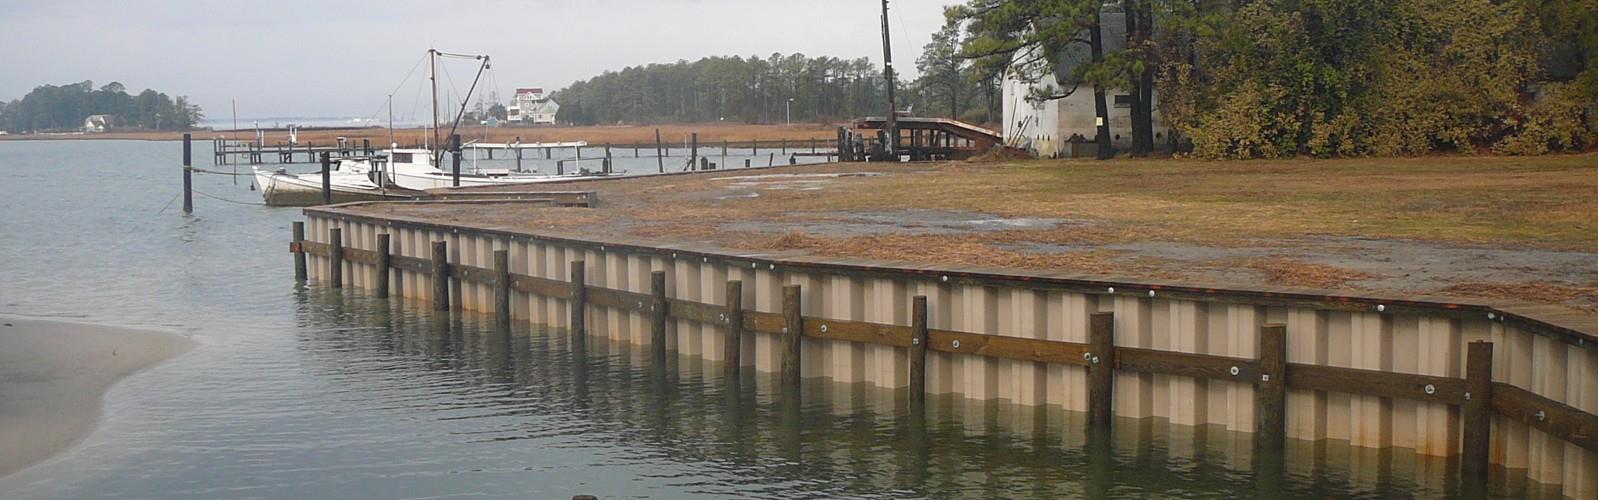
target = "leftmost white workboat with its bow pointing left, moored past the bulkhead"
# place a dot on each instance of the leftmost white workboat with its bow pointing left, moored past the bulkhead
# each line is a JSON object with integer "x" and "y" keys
{"x": 349, "y": 180}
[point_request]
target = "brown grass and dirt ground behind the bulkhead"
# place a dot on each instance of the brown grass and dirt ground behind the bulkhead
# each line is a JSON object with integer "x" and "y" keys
{"x": 1449, "y": 226}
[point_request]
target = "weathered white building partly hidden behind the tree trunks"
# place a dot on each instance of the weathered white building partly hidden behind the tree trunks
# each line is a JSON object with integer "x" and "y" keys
{"x": 1049, "y": 127}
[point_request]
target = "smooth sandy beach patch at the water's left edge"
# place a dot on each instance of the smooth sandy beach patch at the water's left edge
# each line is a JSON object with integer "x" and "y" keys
{"x": 54, "y": 376}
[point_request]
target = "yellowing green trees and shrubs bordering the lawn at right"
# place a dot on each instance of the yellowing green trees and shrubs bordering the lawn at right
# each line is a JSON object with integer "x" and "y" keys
{"x": 1247, "y": 79}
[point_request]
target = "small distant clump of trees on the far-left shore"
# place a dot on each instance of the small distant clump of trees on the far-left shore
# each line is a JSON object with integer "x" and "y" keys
{"x": 65, "y": 108}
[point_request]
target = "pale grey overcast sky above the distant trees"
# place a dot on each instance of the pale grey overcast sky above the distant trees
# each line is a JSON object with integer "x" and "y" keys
{"x": 306, "y": 58}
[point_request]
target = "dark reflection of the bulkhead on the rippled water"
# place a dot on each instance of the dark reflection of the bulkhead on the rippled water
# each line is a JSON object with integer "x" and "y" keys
{"x": 841, "y": 440}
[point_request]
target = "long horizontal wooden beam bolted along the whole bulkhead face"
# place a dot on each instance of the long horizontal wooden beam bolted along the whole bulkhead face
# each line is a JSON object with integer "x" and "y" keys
{"x": 1268, "y": 371}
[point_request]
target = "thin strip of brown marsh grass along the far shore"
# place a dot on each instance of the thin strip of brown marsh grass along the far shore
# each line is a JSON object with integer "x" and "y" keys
{"x": 594, "y": 135}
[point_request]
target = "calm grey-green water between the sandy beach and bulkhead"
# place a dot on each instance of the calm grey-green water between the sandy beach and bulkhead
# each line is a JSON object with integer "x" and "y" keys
{"x": 314, "y": 394}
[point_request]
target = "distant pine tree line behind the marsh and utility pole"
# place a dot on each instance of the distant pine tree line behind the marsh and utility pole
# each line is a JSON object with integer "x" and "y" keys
{"x": 763, "y": 90}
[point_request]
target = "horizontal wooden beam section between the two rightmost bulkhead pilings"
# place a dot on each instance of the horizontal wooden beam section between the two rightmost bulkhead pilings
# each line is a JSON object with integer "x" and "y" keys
{"x": 1377, "y": 384}
